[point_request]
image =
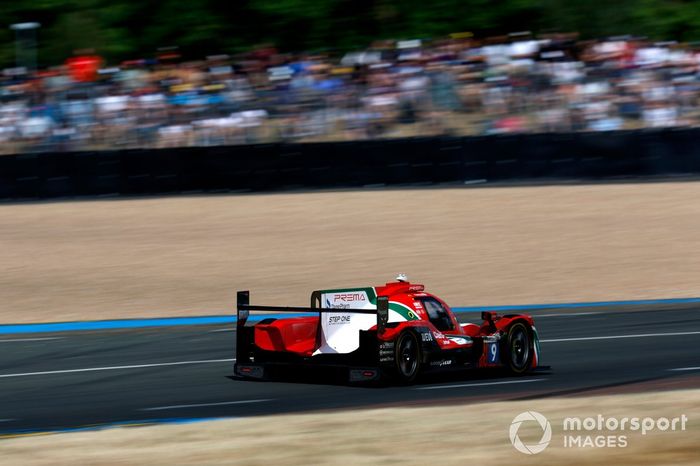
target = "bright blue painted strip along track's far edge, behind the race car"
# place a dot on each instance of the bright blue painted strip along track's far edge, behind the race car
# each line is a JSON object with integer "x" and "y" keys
{"x": 231, "y": 319}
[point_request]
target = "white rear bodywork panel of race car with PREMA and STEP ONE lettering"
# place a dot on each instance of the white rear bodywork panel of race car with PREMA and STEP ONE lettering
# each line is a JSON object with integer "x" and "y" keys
{"x": 340, "y": 331}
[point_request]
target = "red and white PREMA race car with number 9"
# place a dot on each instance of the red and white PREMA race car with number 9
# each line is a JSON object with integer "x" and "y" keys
{"x": 397, "y": 330}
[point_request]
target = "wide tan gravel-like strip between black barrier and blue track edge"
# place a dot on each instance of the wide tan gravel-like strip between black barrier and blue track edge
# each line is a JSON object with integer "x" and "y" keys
{"x": 487, "y": 246}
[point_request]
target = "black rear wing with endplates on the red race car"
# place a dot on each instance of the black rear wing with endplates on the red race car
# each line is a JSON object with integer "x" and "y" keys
{"x": 244, "y": 308}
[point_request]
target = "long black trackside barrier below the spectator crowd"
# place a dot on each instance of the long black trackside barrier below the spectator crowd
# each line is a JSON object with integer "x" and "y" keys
{"x": 391, "y": 162}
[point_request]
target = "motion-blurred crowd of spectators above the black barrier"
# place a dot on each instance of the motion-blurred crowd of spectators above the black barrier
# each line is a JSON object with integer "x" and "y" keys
{"x": 456, "y": 85}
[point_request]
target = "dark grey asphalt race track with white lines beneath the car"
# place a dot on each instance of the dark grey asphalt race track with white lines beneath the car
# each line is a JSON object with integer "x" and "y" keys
{"x": 70, "y": 380}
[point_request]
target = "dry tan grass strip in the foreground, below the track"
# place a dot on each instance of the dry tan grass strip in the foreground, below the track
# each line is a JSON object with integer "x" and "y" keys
{"x": 448, "y": 435}
